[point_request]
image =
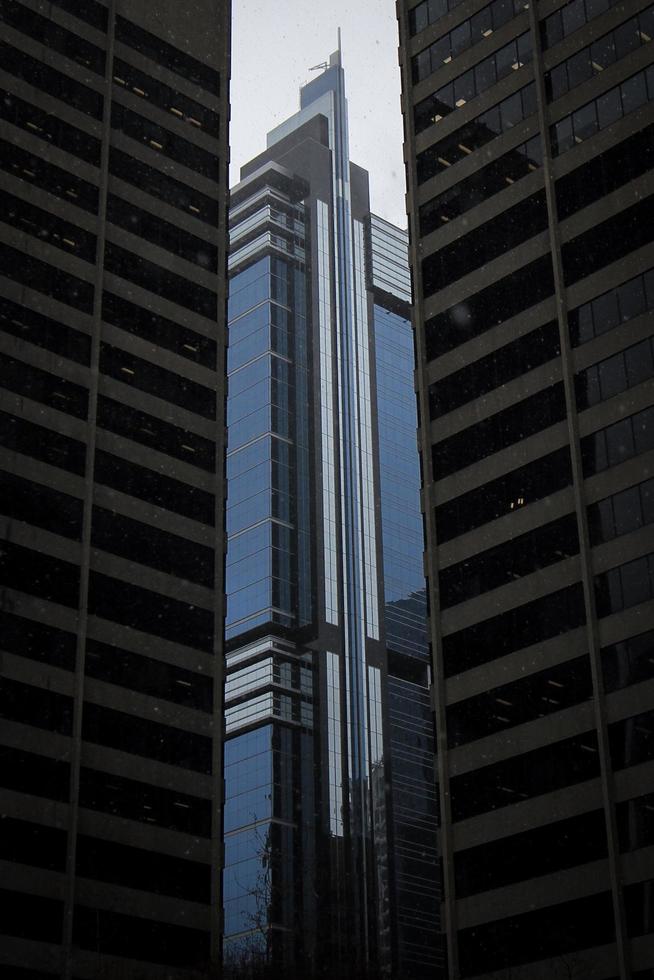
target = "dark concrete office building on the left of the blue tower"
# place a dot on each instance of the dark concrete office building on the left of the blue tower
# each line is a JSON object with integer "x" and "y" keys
{"x": 112, "y": 302}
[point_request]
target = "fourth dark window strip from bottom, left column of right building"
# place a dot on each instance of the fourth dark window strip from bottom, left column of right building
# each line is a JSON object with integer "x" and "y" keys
{"x": 536, "y": 696}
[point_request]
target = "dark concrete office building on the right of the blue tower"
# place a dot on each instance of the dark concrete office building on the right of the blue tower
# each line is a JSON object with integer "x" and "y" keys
{"x": 529, "y": 147}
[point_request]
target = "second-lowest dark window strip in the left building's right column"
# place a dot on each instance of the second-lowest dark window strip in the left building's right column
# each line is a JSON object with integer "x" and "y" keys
{"x": 134, "y": 867}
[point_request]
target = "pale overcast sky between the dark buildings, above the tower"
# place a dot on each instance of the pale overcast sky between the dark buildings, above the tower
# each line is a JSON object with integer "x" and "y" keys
{"x": 275, "y": 43}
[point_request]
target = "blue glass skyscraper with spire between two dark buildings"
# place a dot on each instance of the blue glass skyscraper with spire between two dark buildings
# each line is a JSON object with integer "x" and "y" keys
{"x": 330, "y": 807}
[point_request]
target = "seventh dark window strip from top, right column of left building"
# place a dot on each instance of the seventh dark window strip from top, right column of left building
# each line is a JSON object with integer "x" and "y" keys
{"x": 159, "y": 330}
